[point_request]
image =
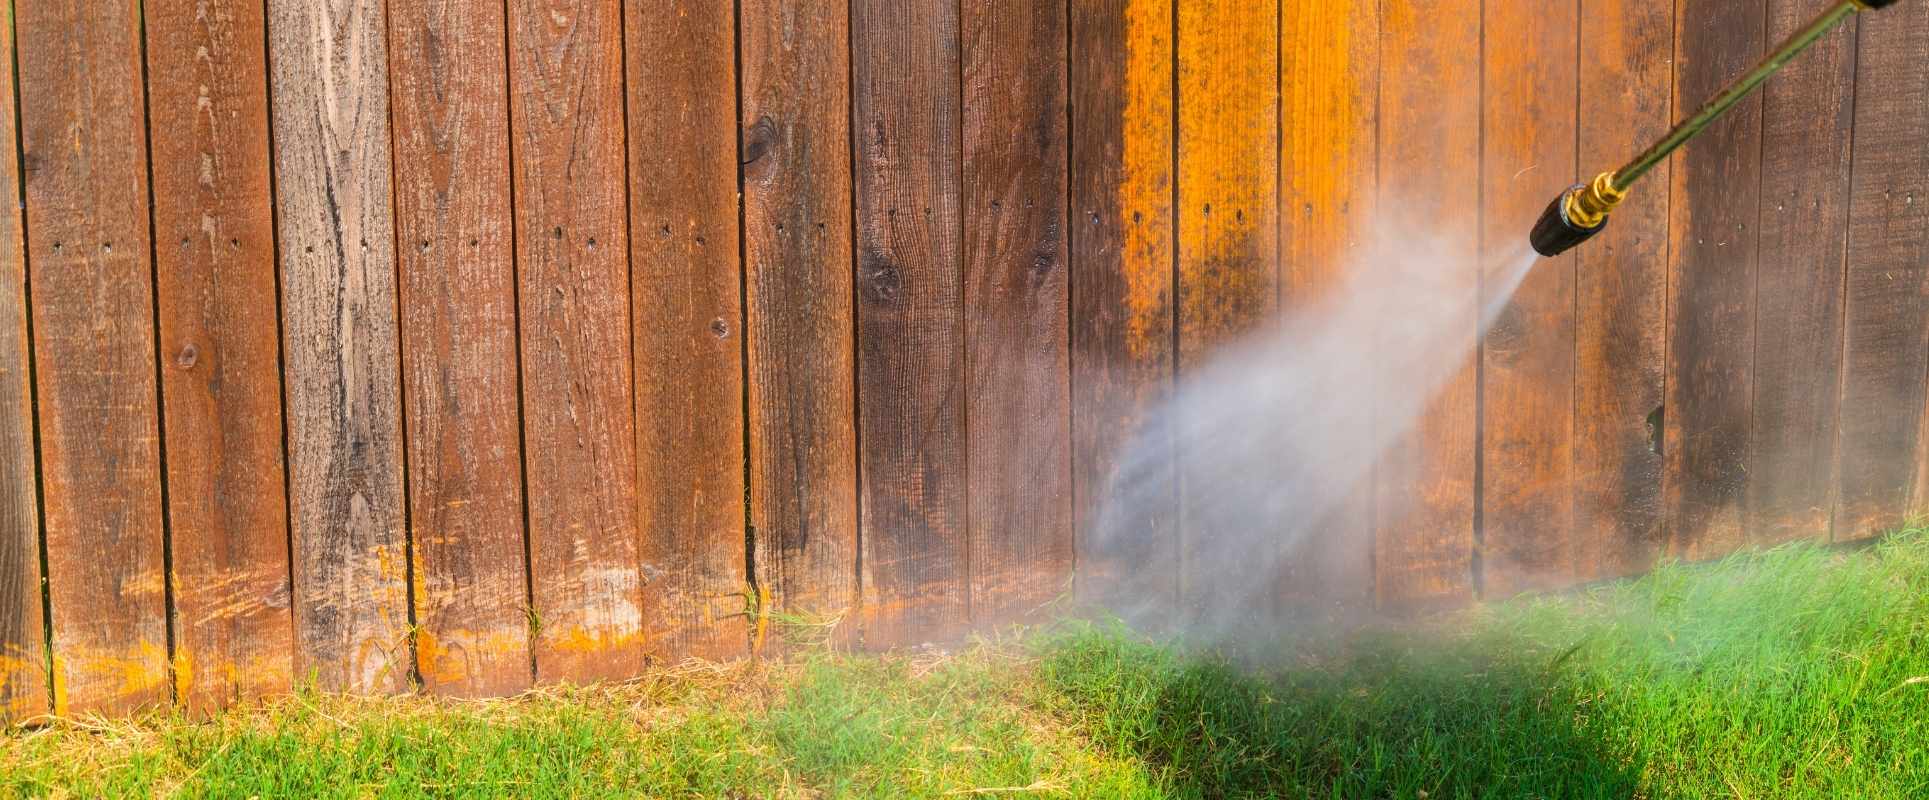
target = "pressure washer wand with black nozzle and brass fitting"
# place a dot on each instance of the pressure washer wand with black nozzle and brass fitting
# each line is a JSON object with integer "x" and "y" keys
{"x": 1583, "y": 211}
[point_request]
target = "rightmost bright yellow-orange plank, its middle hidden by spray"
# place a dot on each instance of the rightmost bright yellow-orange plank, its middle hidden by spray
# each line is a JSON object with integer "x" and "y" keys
{"x": 1330, "y": 117}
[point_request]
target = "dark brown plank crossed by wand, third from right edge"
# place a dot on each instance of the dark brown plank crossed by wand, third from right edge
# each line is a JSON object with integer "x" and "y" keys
{"x": 1712, "y": 284}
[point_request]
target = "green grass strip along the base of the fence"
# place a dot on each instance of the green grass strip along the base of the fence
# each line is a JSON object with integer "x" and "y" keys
{"x": 1793, "y": 674}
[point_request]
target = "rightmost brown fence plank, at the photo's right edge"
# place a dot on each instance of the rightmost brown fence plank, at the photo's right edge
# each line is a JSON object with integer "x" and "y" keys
{"x": 1884, "y": 444}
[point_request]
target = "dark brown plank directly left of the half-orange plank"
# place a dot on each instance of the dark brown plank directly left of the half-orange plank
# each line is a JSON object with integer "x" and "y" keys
{"x": 1016, "y": 307}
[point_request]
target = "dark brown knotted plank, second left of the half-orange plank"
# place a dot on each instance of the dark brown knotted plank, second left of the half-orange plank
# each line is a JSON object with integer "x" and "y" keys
{"x": 910, "y": 323}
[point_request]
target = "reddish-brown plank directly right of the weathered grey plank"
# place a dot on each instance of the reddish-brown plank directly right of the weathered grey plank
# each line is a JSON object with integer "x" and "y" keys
{"x": 450, "y": 107}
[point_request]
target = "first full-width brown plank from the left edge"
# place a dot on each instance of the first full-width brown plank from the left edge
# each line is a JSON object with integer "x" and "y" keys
{"x": 94, "y": 329}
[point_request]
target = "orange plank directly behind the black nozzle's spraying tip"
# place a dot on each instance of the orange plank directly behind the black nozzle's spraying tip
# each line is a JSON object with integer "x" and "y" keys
{"x": 1527, "y": 450}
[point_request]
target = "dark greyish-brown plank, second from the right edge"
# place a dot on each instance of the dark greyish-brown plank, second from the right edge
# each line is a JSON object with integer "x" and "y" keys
{"x": 1808, "y": 115}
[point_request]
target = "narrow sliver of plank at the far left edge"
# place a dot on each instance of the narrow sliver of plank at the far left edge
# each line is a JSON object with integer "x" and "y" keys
{"x": 24, "y": 691}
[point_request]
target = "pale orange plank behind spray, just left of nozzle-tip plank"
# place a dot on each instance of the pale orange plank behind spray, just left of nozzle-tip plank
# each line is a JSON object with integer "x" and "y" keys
{"x": 1430, "y": 146}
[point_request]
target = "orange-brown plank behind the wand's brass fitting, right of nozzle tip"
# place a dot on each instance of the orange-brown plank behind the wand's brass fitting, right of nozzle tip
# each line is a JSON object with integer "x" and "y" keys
{"x": 1621, "y": 294}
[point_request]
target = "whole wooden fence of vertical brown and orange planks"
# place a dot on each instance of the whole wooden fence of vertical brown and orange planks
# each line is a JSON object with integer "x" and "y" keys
{"x": 475, "y": 344}
